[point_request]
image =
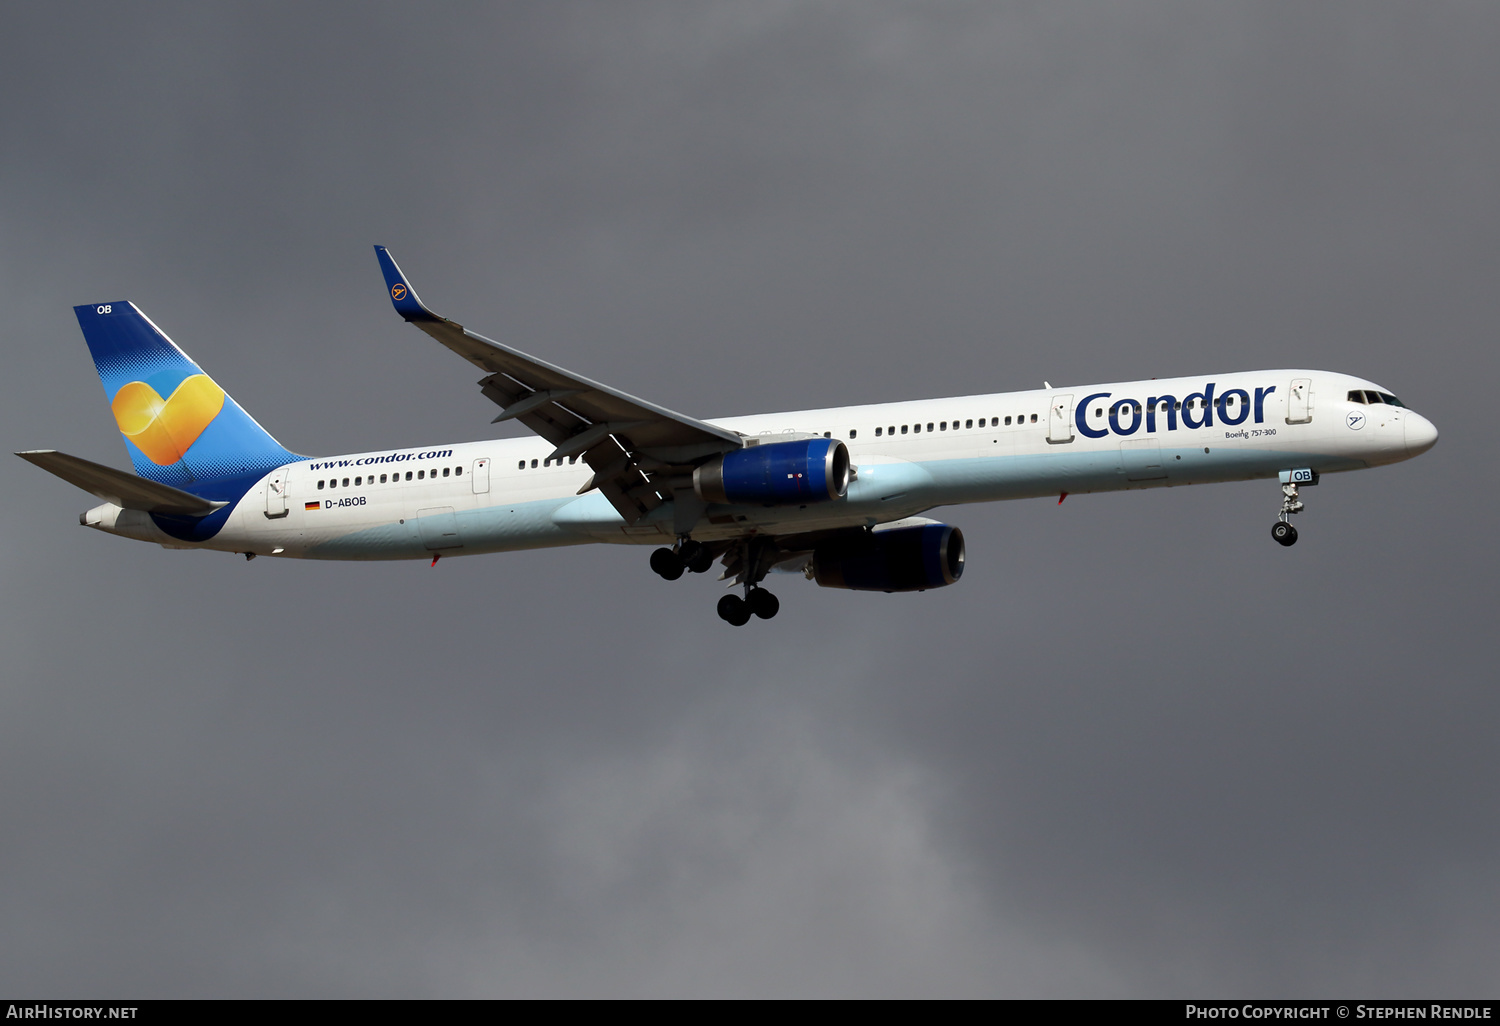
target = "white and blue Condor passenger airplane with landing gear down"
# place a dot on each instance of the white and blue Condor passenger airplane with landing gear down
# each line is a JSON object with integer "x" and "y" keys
{"x": 835, "y": 494}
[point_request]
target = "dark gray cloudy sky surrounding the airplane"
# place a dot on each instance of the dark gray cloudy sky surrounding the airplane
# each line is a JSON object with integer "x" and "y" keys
{"x": 1141, "y": 751}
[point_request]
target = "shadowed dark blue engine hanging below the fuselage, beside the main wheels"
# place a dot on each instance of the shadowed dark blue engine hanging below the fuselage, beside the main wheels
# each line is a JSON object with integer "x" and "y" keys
{"x": 911, "y": 559}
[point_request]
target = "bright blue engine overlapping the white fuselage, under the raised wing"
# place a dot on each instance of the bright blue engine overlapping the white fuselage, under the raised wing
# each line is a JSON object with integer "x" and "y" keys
{"x": 814, "y": 470}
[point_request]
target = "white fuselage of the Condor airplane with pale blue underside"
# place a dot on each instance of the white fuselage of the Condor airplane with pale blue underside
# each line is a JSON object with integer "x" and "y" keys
{"x": 911, "y": 457}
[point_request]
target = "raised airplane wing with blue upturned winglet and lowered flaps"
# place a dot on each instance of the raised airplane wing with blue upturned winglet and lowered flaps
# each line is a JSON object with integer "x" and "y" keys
{"x": 640, "y": 452}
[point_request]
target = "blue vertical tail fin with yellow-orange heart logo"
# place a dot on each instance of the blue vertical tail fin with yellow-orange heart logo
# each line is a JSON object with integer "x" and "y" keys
{"x": 179, "y": 427}
